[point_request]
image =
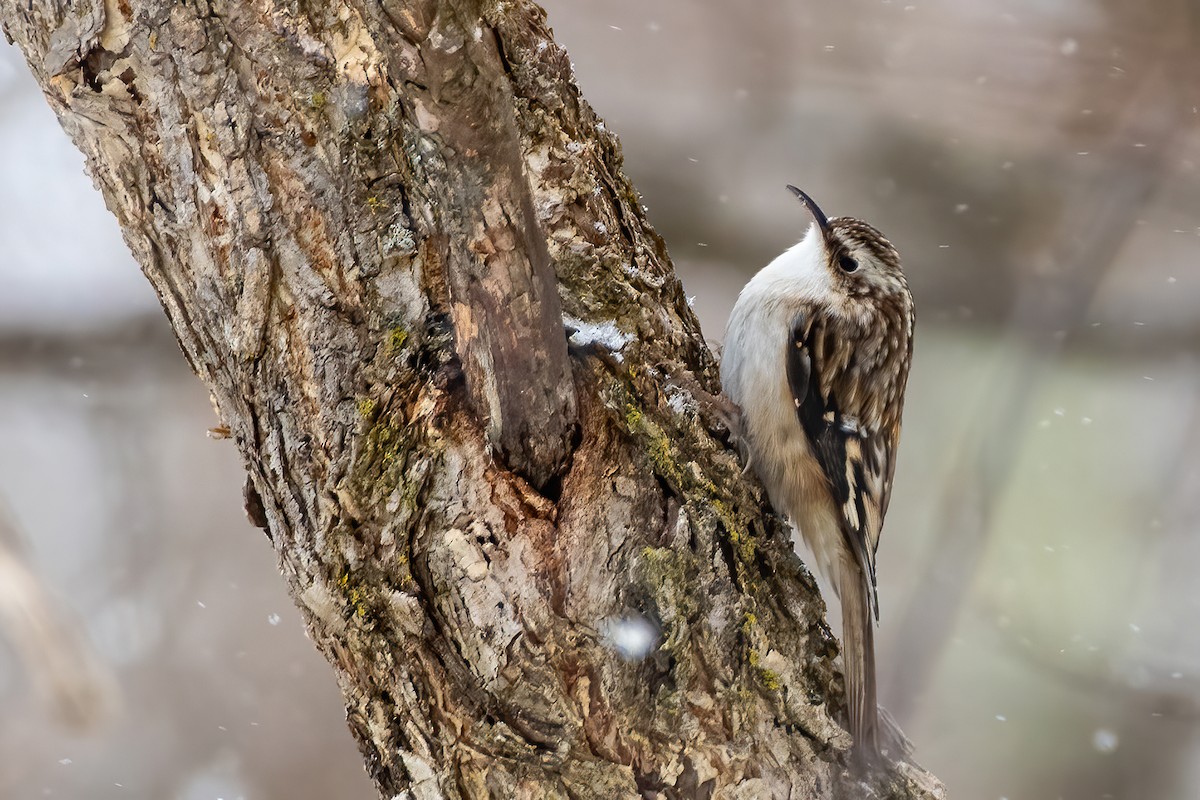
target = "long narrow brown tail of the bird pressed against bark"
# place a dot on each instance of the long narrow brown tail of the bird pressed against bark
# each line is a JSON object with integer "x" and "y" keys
{"x": 859, "y": 660}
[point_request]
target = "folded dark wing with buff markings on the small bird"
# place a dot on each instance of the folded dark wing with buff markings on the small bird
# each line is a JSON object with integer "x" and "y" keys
{"x": 856, "y": 452}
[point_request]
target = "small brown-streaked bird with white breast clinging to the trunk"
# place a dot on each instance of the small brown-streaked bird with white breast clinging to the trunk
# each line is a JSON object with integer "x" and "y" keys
{"x": 817, "y": 357}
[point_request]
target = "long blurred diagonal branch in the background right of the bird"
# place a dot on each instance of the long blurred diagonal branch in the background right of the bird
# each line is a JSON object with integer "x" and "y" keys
{"x": 1052, "y": 305}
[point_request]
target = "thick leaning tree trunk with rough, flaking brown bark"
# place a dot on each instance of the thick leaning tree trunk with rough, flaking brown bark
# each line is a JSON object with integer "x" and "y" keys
{"x": 368, "y": 221}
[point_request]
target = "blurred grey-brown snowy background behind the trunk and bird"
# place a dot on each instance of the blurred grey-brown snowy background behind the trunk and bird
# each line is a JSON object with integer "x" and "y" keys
{"x": 1035, "y": 163}
